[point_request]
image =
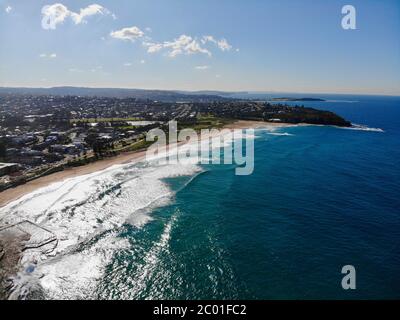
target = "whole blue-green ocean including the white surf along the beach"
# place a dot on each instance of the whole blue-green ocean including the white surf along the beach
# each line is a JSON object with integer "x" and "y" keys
{"x": 320, "y": 198}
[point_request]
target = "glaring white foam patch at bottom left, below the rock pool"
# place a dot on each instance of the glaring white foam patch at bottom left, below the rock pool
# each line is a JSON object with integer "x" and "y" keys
{"x": 69, "y": 276}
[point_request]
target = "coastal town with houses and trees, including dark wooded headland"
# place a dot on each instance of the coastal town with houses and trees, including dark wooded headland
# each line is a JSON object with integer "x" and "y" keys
{"x": 43, "y": 134}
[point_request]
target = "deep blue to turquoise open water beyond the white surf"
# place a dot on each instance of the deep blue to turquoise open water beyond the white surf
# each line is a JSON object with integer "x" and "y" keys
{"x": 320, "y": 198}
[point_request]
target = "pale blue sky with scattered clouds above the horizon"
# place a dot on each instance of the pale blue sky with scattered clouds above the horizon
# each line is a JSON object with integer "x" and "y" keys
{"x": 253, "y": 45}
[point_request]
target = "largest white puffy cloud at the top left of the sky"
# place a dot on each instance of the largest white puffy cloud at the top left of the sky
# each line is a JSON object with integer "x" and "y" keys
{"x": 55, "y": 14}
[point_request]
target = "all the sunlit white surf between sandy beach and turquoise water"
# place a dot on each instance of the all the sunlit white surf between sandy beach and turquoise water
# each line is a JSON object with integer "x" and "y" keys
{"x": 78, "y": 209}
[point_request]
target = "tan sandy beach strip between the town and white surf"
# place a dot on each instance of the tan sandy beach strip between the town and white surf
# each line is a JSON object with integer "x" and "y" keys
{"x": 13, "y": 194}
